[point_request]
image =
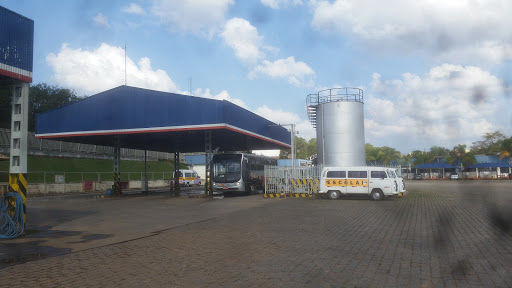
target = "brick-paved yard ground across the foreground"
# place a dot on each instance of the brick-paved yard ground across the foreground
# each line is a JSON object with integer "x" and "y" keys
{"x": 442, "y": 233}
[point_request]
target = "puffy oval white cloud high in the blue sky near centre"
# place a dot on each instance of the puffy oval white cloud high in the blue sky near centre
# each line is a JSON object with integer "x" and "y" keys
{"x": 244, "y": 39}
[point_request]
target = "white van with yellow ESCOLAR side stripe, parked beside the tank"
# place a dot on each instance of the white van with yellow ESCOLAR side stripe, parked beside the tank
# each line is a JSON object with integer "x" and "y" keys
{"x": 377, "y": 182}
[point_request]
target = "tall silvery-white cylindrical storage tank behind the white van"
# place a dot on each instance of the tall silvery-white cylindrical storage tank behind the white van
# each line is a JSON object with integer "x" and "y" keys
{"x": 339, "y": 119}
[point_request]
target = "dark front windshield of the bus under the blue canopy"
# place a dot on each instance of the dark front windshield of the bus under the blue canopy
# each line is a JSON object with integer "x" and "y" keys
{"x": 226, "y": 168}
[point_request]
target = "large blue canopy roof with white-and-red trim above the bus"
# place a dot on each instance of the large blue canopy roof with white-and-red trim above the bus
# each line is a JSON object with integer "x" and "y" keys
{"x": 159, "y": 121}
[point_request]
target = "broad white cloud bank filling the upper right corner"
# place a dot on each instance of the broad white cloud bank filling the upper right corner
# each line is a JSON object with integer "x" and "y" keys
{"x": 478, "y": 30}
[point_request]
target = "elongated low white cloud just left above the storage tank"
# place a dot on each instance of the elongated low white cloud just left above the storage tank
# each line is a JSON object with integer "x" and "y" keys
{"x": 296, "y": 73}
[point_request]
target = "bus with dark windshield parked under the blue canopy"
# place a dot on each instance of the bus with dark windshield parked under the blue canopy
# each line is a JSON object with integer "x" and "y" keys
{"x": 239, "y": 173}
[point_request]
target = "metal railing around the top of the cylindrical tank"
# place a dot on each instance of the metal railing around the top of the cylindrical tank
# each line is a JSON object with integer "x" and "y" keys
{"x": 335, "y": 95}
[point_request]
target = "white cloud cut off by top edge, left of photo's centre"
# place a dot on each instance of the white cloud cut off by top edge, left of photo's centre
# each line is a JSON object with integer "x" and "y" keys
{"x": 201, "y": 17}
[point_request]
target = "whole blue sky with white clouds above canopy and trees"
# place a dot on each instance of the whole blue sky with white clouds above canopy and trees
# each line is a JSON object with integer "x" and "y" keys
{"x": 434, "y": 73}
